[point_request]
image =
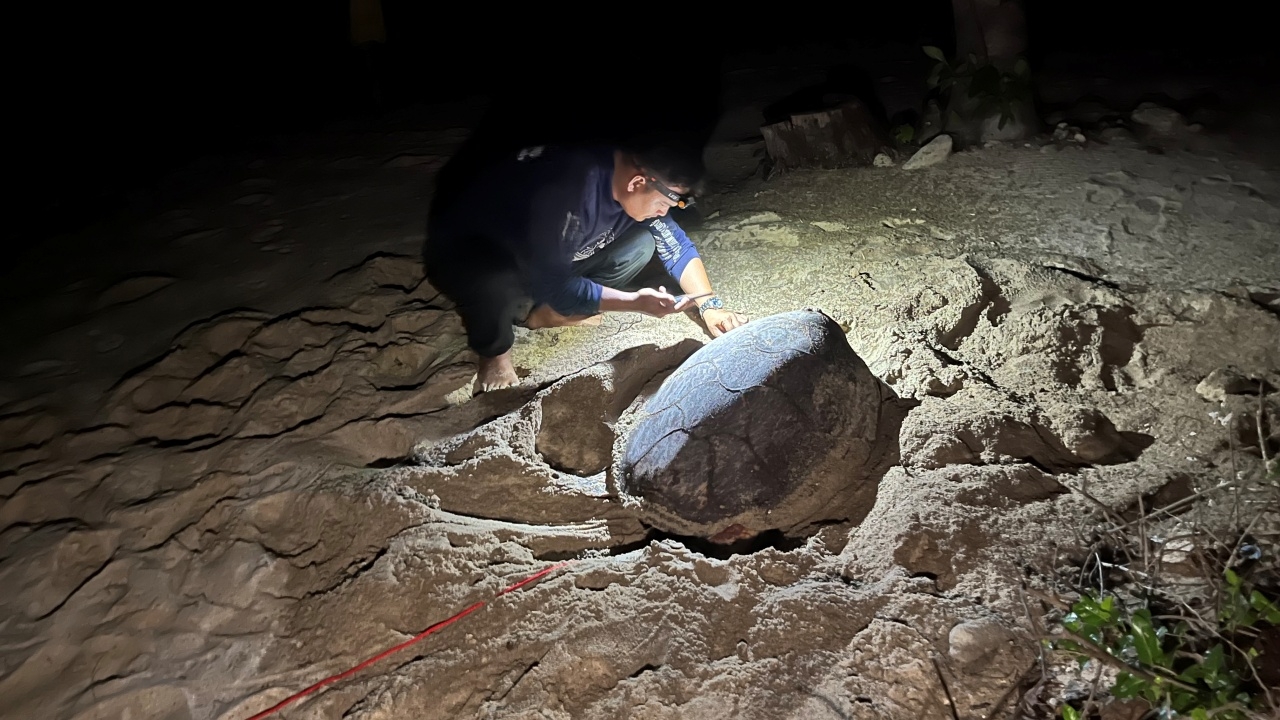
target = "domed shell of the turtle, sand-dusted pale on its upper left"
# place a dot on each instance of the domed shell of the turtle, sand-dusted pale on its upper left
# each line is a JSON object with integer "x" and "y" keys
{"x": 739, "y": 425}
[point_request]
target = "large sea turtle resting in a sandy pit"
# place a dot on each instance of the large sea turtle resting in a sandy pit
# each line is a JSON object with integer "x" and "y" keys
{"x": 756, "y": 431}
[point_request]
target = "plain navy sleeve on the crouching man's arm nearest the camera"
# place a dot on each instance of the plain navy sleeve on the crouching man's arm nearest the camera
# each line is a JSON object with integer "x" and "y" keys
{"x": 548, "y": 263}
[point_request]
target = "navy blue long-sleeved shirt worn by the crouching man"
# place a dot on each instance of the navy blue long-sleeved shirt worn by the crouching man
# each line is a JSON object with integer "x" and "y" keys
{"x": 551, "y": 207}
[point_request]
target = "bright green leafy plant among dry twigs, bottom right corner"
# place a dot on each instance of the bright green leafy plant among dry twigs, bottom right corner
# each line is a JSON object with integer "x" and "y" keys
{"x": 1181, "y": 672}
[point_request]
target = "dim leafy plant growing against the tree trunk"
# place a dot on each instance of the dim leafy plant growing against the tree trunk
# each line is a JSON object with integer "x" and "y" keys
{"x": 991, "y": 89}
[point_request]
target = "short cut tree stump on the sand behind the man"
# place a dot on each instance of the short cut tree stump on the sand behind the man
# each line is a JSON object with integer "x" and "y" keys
{"x": 844, "y": 136}
